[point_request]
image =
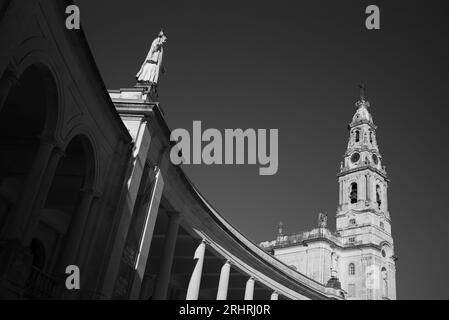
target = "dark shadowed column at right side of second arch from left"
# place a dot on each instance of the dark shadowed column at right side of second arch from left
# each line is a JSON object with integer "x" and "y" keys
{"x": 74, "y": 234}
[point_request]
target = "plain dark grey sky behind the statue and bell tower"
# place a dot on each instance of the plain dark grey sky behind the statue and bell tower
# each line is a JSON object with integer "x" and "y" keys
{"x": 295, "y": 66}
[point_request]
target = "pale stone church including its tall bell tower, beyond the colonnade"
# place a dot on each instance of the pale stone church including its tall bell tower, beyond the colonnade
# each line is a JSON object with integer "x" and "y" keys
{"x": 359, "y": 256}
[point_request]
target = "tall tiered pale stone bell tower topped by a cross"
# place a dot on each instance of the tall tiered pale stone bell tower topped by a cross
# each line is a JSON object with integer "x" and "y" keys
{"x": 363, "y": 219}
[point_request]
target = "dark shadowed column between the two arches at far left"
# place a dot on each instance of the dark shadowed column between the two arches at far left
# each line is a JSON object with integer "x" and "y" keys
{"x": 41, "y": 172}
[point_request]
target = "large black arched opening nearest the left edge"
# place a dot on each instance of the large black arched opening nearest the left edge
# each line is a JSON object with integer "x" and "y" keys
{"x": 29, "y": 111}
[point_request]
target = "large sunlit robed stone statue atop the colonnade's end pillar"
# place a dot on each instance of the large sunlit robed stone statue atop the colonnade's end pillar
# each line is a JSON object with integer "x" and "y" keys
{"x": 149, "y": 71}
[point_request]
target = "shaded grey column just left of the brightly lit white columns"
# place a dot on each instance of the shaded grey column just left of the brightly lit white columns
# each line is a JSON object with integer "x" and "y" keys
{"x": 163, "y": 277}
